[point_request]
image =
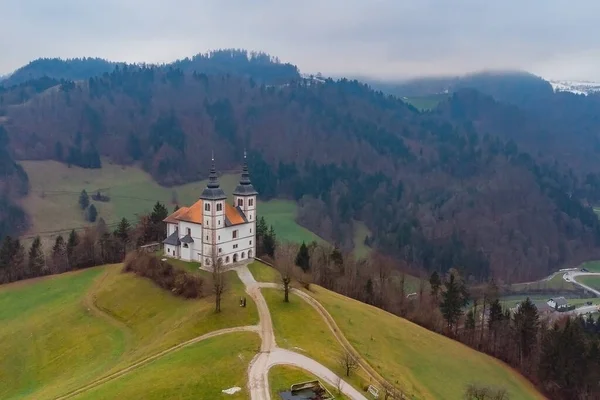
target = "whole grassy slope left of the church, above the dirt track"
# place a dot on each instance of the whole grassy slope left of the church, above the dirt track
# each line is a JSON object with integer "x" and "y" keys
{"x": 61, "y": 332}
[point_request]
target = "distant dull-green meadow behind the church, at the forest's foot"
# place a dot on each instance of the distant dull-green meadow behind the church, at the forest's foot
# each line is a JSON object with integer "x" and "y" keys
{"x": 53, "y": 207}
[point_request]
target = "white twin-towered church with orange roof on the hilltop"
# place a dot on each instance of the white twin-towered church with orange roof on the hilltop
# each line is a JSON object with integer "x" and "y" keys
{"x": 213, "y": 227}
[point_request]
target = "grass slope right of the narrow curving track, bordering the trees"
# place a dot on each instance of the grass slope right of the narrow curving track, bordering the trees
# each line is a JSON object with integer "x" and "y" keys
{"x": 406, "y": 353}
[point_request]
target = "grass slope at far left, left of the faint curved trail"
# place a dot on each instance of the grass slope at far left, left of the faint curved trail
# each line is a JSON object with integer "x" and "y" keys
{"x": 50, "y": 340}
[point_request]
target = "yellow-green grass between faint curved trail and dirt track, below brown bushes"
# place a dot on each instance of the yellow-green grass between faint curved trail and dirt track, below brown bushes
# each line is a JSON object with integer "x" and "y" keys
{"x": 157, "y": 320}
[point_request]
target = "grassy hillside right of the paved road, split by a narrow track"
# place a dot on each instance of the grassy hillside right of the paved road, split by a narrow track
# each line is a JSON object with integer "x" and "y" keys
{"x": 428, "y": 365}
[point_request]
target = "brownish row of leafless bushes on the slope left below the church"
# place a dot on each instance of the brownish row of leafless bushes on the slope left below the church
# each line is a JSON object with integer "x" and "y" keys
{"x": 164, "y": 275}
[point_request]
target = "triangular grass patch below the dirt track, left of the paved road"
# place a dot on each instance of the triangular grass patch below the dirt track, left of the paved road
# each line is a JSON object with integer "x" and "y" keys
{"x": 199, "y": 371}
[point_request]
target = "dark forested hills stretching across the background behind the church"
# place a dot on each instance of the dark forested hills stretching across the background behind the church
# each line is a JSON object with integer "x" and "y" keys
{"x": 439, "y": 190}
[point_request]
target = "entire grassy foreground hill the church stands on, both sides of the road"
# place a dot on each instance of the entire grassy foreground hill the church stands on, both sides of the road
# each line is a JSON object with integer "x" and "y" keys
{"x": 122, "y": 334}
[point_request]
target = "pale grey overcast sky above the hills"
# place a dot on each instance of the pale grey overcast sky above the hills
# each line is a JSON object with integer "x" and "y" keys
{"x": 557, "y": 39}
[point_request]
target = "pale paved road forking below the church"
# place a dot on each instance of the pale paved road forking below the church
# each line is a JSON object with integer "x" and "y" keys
{"x": 270, "y": 354}
